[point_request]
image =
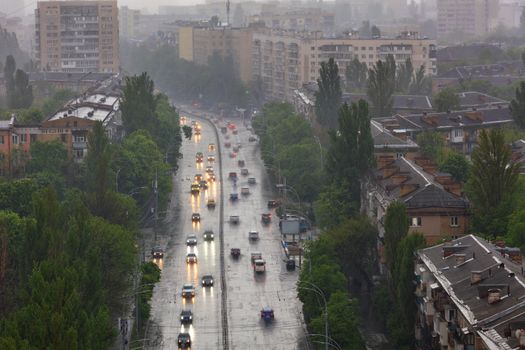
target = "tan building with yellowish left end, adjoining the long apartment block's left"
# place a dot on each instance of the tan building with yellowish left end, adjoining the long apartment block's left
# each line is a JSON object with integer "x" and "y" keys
{"x": 198, "y": 43}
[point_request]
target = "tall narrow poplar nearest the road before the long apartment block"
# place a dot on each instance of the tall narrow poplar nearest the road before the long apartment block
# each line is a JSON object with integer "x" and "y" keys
{"x": 328, "y": 98}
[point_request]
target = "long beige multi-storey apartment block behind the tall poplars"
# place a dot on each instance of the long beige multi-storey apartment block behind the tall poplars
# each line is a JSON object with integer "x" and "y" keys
{"x": 286, "y": 60}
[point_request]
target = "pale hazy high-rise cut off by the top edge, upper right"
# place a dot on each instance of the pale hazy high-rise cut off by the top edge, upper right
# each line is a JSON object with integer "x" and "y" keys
{"x": 463, "y": 19}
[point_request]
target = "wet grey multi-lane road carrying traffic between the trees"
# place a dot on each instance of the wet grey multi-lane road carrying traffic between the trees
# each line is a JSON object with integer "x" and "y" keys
{"x": 247, "y": 292}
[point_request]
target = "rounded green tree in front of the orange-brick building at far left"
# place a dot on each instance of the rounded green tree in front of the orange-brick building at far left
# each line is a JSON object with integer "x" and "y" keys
{"x": 48, "y": 156}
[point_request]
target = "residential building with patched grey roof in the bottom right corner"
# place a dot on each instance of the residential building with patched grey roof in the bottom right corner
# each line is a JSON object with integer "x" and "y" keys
{"x": 470, "y": 295}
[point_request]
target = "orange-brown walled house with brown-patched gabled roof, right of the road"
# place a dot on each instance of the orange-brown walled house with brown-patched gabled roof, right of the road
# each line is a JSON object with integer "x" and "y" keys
{"x": 434, "y": 201}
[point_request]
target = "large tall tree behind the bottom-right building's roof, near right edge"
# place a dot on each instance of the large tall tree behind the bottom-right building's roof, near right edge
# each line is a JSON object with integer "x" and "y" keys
{"x": 494, "y": 177}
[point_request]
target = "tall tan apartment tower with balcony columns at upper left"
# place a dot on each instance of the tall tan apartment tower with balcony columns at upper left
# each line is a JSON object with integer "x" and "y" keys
{"x": 77, "y": 36}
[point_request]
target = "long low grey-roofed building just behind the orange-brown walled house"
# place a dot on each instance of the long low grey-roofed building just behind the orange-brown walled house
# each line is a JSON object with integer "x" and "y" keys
{"x": 460, "y": 129}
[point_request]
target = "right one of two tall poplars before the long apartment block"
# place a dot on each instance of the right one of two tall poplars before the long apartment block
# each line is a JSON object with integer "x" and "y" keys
{"x": 381, "y": 85}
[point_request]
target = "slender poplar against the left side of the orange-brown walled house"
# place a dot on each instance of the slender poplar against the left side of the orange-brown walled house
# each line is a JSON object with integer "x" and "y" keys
{"x": 396, "y": 228}
